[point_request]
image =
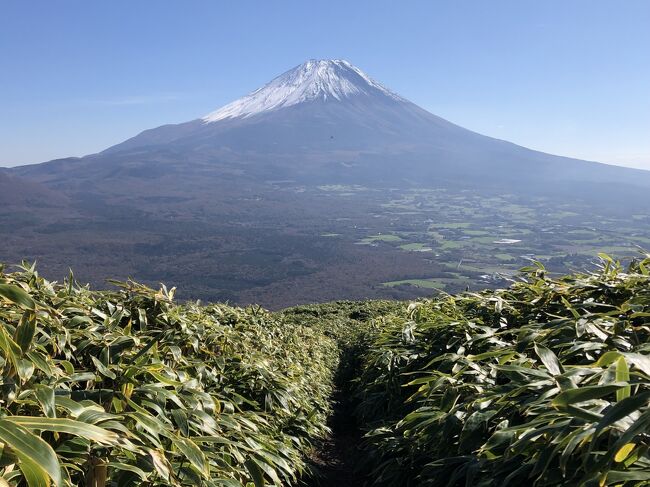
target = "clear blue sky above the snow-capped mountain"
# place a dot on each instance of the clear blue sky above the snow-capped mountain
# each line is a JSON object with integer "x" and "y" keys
{"x": 570, "y": 77}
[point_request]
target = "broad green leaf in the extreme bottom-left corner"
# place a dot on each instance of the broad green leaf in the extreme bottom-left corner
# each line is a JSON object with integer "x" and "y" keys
{"x": 31, "y": 450}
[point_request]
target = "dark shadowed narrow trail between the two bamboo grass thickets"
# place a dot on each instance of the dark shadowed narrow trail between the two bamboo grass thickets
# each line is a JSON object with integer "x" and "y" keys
{"x": 337, "y": 458}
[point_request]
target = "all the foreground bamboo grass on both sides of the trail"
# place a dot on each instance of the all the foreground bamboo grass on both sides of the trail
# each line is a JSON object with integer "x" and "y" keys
{"x": 546, "y": 382}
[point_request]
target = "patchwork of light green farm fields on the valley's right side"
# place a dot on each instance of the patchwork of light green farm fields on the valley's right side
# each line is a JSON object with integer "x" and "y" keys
{"x": 468, "y": 239}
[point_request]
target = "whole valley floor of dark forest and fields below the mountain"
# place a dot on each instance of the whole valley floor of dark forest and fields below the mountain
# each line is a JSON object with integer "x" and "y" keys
{"x": 283, "y": 243}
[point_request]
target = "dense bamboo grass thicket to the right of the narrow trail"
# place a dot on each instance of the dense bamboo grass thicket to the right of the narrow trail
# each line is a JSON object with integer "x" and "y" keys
{"x": 544, "y": 383}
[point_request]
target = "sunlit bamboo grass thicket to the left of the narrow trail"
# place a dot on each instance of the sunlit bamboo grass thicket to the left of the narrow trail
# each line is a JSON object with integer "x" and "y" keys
{"x": 128, "y": 388}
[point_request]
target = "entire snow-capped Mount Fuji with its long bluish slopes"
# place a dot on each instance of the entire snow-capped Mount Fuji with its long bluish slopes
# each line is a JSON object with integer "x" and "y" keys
{"x": 326, "y": 121}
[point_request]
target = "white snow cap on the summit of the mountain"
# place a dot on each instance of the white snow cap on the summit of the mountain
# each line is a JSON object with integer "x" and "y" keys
{"x": 326, "y": 80}
